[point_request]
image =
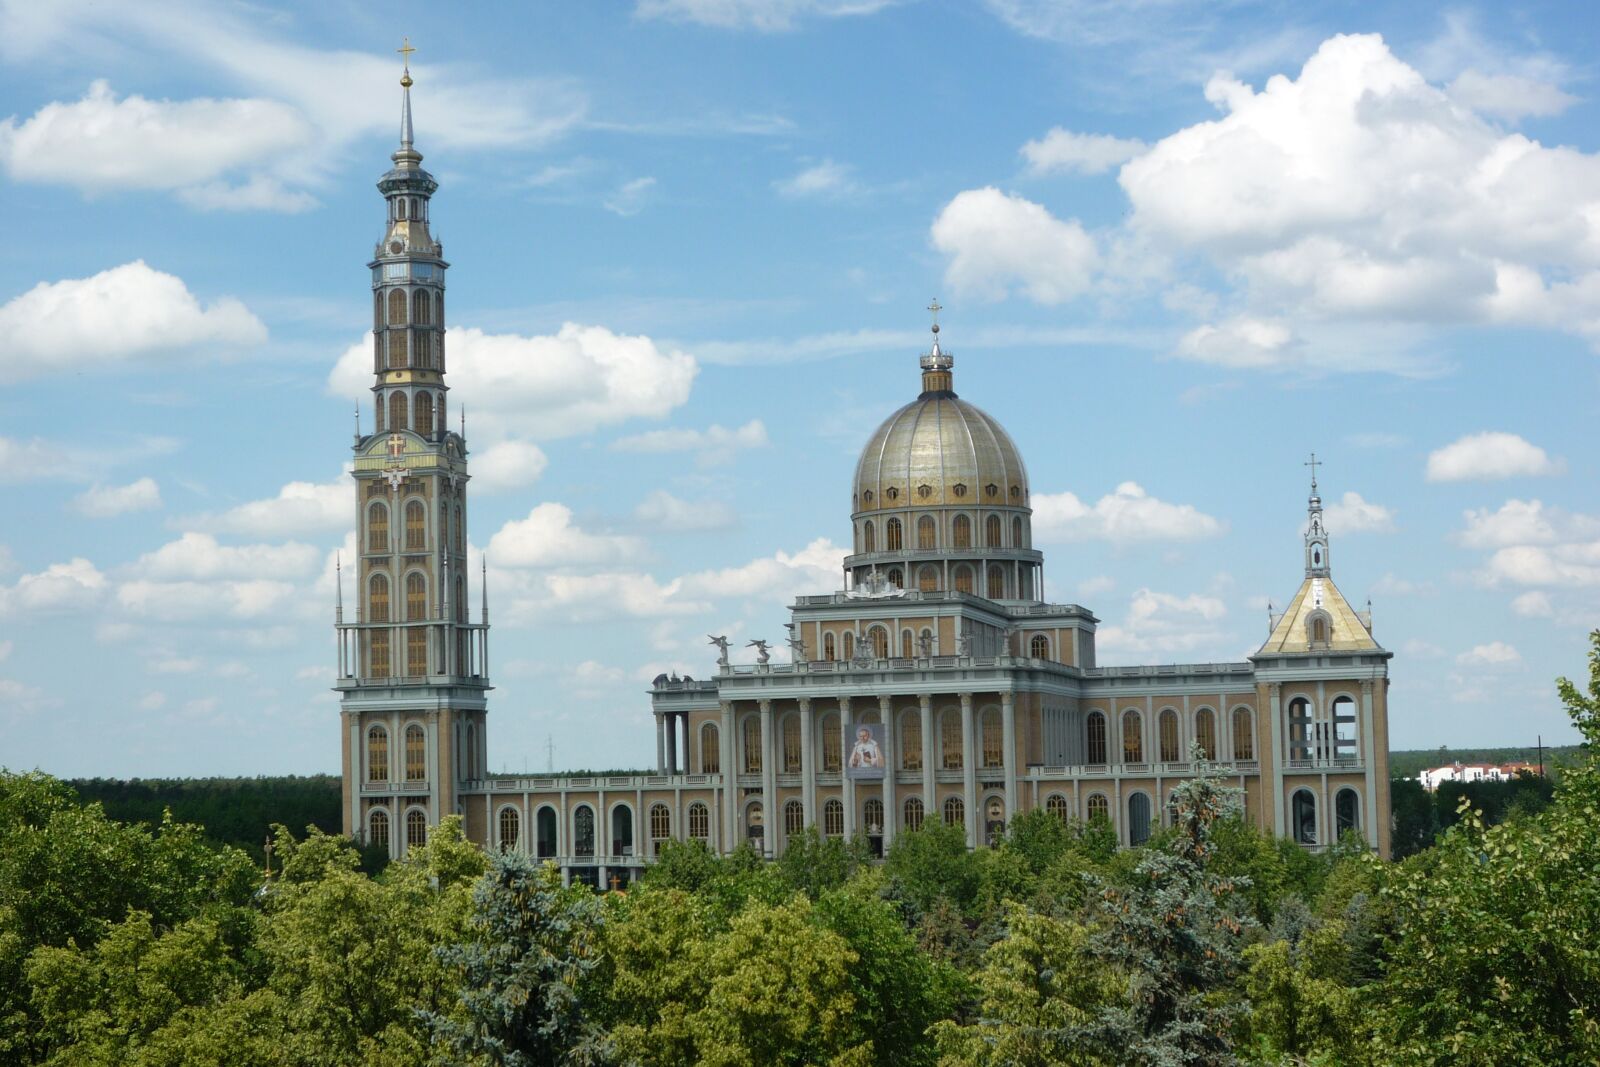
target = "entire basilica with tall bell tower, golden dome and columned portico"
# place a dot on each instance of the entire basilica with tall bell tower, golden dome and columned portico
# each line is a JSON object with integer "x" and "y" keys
{"x": 937, "y": 685}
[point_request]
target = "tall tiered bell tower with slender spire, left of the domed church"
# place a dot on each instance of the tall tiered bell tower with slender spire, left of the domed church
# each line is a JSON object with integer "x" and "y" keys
{"x": 414, "y": 668}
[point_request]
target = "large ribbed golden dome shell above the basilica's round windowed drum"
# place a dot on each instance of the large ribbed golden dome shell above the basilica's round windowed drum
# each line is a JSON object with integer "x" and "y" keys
{"x": 940, "y": 450}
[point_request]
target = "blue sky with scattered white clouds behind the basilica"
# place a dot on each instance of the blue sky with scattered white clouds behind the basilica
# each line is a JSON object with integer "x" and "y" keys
{"x": 1180, "y": 246}
